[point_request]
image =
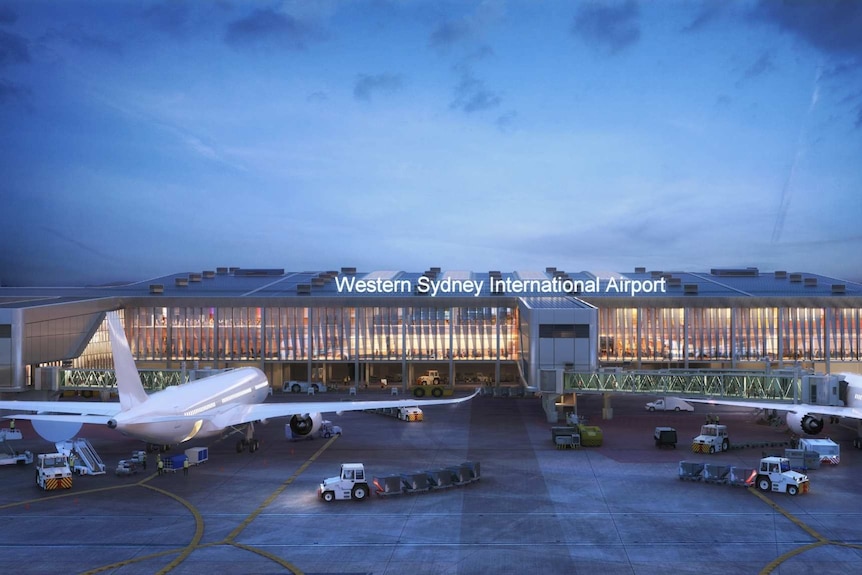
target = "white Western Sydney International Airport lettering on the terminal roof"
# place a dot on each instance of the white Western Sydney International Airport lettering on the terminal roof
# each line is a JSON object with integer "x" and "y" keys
{"x": 559, "y": 286}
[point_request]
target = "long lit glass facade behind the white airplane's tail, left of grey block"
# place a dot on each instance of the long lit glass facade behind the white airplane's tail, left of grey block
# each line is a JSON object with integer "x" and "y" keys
{"x": 322, "y": 333}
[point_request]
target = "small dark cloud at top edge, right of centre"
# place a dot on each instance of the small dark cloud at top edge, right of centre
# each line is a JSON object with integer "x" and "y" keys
{"x": 608, "y": 27}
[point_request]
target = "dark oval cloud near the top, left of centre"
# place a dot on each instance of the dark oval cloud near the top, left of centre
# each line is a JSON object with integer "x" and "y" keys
{"x": 266, "y": 27}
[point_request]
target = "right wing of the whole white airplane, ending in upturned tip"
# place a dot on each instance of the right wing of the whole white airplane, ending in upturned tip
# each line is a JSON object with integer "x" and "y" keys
{"x": 256, "y": 412}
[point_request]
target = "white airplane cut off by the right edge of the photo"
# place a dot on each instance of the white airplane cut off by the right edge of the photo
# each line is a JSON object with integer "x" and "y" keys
{"x": 808, "y": 418}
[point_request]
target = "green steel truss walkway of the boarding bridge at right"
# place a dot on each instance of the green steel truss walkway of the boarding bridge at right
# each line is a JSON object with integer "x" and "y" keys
{"x": 782, "y": 385}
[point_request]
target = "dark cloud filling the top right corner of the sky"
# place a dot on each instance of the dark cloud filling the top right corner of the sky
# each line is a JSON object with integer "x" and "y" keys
{"x": 832, "y": 26}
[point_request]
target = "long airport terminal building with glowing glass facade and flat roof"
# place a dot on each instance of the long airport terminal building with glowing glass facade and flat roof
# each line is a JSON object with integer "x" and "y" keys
{"x": 490, "y": 327}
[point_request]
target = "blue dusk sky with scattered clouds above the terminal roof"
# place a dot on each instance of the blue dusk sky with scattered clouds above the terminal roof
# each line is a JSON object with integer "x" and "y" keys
{"x": 142, "y": 138}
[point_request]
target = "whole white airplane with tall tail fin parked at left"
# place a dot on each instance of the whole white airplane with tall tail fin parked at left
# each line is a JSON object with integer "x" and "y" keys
{"x": 201, "y": 408}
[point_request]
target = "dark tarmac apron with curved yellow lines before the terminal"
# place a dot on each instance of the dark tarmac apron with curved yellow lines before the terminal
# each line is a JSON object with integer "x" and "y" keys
{"x": 615, "y": 509}
